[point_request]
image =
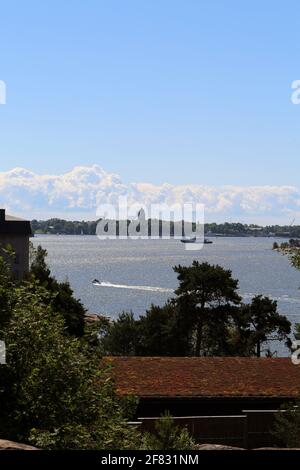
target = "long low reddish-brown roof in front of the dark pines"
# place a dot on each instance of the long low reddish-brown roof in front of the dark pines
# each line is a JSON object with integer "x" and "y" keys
{"x": 205, "y": 376}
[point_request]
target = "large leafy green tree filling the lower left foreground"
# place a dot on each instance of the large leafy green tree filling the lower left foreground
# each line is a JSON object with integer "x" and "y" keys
{"x": 61, "y": 397}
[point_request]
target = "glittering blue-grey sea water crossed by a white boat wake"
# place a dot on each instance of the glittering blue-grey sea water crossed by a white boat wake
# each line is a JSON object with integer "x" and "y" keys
{"x": 139, "y": 273}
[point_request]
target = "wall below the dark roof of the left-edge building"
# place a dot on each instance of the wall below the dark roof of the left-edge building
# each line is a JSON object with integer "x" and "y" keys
{"x": 20, "y": 244}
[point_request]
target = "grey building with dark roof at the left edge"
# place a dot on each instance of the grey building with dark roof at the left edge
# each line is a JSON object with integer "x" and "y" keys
{"x": 16, "y": 233}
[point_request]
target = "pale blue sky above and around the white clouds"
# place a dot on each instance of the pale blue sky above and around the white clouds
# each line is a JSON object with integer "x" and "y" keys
{"x": 183, "y": 93}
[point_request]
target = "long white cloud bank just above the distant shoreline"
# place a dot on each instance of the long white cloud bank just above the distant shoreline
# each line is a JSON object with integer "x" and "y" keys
{"x": 78, "y": 193}
